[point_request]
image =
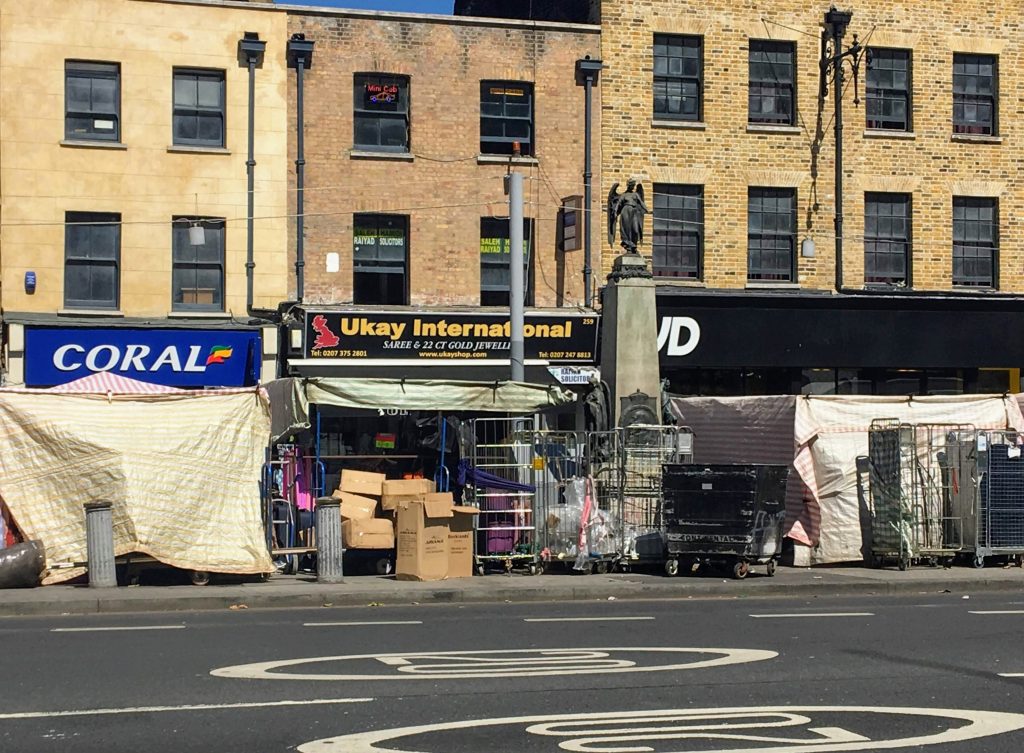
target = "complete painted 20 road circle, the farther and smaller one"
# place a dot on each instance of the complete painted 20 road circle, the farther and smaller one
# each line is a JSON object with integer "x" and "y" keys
{"x": 497, "y": 664}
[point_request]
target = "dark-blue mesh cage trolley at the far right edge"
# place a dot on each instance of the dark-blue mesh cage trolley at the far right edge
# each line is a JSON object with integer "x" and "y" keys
{"x": 988, "y": 492}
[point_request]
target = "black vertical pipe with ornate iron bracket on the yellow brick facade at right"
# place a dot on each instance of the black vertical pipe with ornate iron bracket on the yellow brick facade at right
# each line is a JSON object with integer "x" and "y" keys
{"x": 833, "y": 61}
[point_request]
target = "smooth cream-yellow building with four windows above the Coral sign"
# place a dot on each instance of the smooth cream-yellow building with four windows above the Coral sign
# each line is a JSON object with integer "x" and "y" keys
{"x": 126, "y": 123}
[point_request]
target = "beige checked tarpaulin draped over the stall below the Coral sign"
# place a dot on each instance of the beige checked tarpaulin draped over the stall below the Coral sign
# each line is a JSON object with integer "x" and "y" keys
{"x": 183, "y": 471}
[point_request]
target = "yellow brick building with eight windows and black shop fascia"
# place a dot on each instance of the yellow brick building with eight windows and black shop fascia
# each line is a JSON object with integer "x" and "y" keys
{"x": 717, "y": 108}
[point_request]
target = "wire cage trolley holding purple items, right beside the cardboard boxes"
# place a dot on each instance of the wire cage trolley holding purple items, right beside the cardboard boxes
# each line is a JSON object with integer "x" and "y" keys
{"x": 501, "y": 486}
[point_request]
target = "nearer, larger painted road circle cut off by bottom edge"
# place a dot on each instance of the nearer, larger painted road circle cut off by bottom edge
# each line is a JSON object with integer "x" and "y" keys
{"x": 744, "y": 730}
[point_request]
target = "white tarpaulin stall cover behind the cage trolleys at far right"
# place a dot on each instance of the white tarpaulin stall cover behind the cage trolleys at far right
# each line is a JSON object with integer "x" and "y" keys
{"x": 832, "y": 433}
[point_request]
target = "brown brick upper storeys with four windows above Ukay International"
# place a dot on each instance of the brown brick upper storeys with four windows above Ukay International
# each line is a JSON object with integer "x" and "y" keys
{"x": 404, "y": 197}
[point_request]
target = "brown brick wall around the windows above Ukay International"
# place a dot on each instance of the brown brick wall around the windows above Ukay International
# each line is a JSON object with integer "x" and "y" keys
{"x": 445, "y": 188}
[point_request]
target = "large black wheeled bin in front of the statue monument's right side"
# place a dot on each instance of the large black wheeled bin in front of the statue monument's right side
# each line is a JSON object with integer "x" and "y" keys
{"x": 724, "y": 516}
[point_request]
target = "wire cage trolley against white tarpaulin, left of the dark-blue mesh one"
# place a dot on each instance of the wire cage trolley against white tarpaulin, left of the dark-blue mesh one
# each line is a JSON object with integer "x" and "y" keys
{"x": 912, "y": 492}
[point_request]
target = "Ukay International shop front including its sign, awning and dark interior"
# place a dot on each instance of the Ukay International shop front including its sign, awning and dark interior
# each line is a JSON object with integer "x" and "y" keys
{"x": 402, "y": 393}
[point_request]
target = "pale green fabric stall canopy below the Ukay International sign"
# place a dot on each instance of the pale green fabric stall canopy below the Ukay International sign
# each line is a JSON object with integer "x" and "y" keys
{"x": 291, "y": 397}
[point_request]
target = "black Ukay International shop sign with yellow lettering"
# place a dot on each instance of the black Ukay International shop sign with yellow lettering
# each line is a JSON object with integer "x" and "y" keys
{"x": 567, "y": 339}
